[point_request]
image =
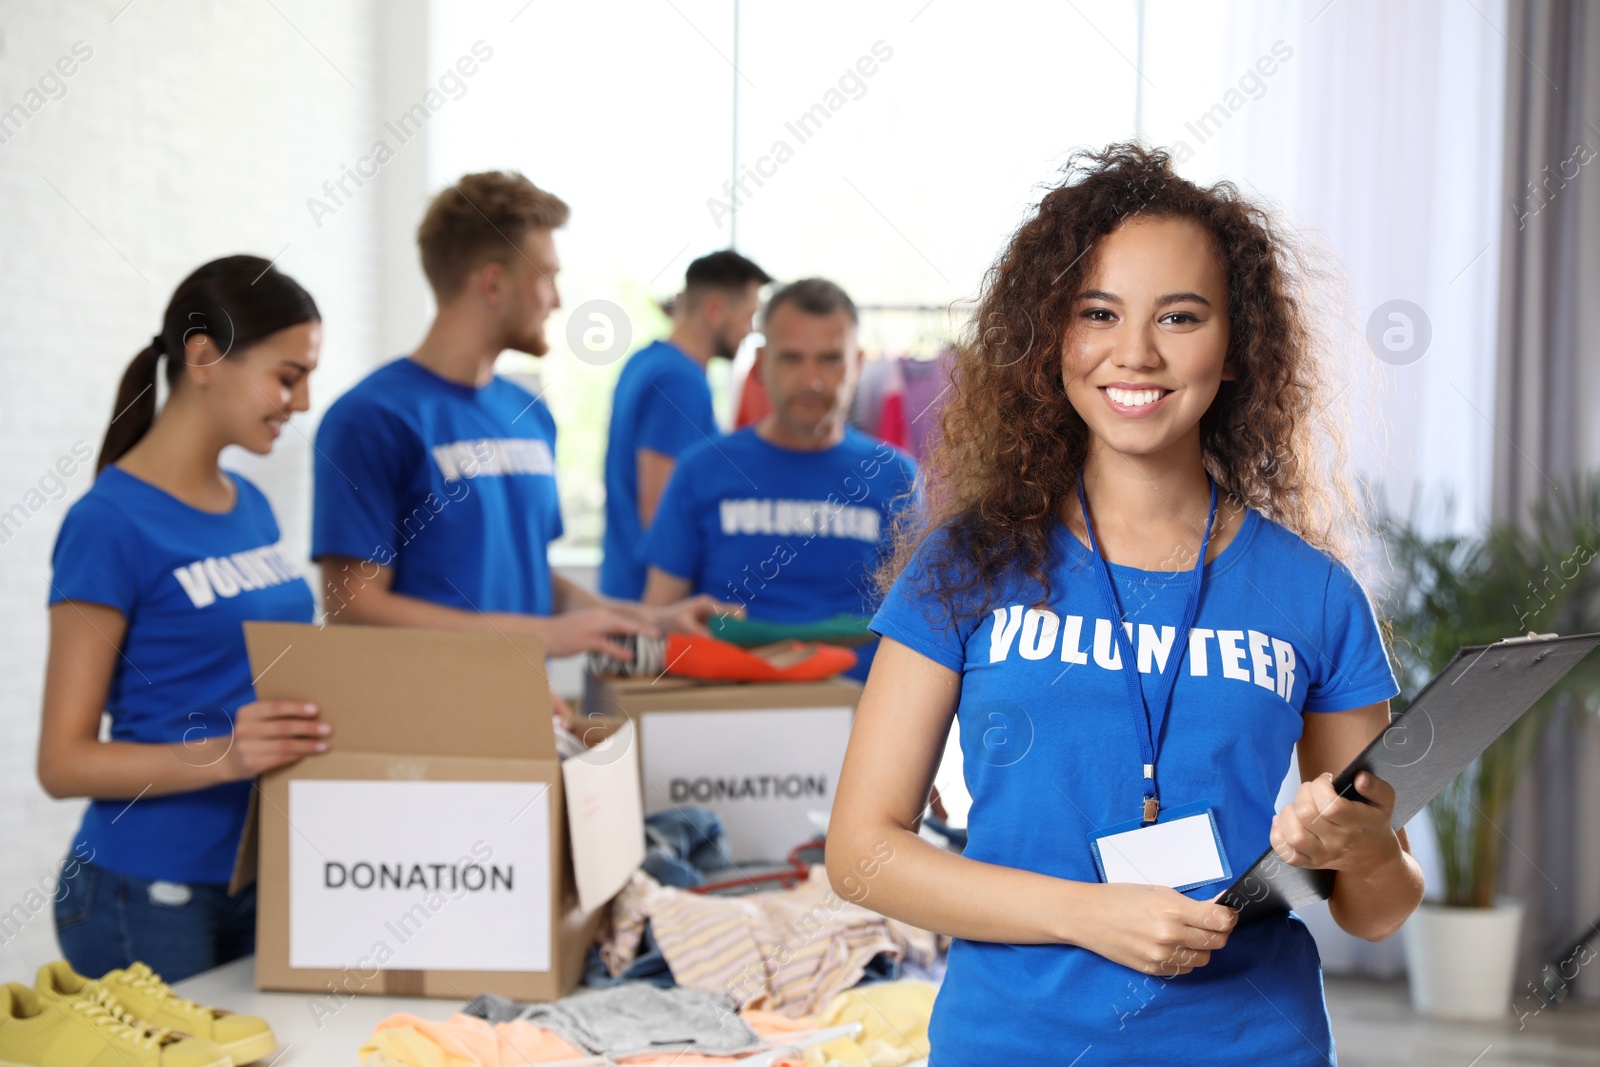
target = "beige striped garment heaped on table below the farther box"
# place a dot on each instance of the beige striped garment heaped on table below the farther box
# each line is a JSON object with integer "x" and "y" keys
{"x": 788, "y": 951}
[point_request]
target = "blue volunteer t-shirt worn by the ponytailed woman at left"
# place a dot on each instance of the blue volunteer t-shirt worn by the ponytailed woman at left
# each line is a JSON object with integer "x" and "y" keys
{"x": 186, "y": 581}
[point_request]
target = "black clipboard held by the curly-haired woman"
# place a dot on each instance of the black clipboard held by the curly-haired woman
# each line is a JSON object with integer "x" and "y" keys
{"x": 1460, "y": 714}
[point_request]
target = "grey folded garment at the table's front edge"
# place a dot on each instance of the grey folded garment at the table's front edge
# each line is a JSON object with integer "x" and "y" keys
{"x": 634, "y": 1020}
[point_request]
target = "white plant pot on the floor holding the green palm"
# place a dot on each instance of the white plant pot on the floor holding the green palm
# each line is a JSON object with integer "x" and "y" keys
{"x": 1462, "y": 961}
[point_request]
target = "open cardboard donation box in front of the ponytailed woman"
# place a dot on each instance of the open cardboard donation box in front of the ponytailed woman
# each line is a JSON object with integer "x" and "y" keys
{"x": 439, "y": 849}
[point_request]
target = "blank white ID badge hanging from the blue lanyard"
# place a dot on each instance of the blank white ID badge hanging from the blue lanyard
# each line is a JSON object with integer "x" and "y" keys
{"x": 1183, "y": 850}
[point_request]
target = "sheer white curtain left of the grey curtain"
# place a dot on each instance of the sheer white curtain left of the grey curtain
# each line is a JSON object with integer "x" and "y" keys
{"x": 1378, "y": 129}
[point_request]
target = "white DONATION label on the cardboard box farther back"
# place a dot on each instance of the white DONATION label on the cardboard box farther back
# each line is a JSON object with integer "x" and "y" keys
{"x": 761, "y": 770}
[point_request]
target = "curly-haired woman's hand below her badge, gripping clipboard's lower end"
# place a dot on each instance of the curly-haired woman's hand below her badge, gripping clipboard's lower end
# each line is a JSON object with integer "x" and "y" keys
{"x": 1153, "y": 930}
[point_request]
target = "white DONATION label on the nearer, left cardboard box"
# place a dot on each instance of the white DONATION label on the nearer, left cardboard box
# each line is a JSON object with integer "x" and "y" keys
{"x": 420, "y": 876}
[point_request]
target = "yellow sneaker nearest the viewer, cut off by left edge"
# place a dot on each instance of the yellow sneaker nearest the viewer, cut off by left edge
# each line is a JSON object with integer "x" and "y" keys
{"x": 89, "y": 1031}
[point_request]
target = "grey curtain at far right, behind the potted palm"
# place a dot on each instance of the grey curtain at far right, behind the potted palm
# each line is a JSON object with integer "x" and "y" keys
{"x": 1548, "y": 378}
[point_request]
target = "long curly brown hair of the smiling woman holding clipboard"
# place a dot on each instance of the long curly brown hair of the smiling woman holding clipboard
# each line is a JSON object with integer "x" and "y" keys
{"x": 1014, "y": 449}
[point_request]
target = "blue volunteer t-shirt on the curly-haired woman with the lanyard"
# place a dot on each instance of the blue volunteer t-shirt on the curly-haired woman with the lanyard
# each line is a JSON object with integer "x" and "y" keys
{"x": 1052, "y": 756}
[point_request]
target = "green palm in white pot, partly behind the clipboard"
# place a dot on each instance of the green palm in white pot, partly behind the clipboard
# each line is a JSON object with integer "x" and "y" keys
{"x": 1452, "y": 591}
